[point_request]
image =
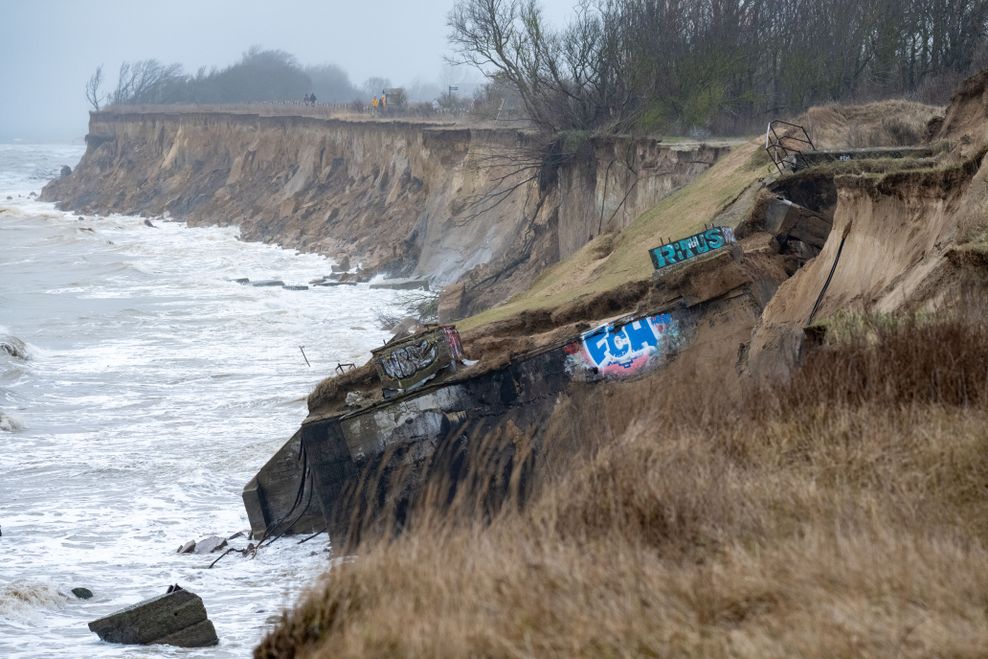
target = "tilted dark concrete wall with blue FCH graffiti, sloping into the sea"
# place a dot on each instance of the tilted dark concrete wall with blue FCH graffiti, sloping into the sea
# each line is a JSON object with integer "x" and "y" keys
{"x": 314, "y": 482}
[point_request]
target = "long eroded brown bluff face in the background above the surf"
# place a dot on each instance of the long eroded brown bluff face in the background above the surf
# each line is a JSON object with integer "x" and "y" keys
{"x": 405, "y": 197}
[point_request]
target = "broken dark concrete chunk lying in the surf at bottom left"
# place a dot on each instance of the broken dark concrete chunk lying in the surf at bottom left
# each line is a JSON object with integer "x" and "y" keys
{"x": 175, "y": 618}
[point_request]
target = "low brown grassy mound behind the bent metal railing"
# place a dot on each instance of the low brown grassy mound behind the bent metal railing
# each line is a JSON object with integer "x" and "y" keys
{"x": 893, "y": 122}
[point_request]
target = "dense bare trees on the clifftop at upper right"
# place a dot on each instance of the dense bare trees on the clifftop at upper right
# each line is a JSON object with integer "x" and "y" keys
{"x": 724, "y": 66}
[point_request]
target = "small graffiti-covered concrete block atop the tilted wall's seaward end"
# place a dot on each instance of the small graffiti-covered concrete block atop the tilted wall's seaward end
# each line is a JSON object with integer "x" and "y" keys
{"x": 404, "y": 365}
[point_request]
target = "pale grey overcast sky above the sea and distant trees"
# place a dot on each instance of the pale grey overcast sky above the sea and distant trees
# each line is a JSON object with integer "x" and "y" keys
{"x": 49, "y": 48}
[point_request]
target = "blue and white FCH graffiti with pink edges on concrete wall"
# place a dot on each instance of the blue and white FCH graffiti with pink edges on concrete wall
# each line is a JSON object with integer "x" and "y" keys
{"x": 616, "y": 351}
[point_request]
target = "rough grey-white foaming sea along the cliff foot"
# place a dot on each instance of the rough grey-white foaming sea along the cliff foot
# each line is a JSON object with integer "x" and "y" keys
{"x": 151, "y": 388}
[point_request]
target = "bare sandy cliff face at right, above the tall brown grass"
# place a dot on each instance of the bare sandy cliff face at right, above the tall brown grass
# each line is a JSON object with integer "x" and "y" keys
{"x": 909, "y": 241}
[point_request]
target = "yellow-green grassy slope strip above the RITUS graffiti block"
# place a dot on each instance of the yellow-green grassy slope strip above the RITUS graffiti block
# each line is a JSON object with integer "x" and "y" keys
{"x": 680, "y": 214}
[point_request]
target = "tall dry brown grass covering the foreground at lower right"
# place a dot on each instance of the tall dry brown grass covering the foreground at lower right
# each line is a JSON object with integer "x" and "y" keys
{"x": 845, "y": 514}
